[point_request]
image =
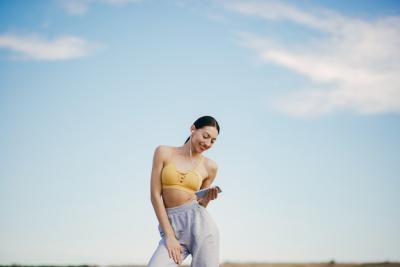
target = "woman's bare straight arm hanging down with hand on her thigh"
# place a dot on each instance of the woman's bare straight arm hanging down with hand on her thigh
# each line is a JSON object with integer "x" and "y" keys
{"x": 173, "y": 246}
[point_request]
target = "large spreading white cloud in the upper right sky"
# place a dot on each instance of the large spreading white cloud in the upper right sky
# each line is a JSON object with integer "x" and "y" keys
{"x": 355, "y": 67}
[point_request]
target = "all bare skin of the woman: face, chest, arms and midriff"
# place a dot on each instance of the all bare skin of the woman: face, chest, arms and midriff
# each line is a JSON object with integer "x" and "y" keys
{"x": 201, "y": 140}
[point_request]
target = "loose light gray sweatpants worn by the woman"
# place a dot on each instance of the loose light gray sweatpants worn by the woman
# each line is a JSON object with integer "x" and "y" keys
{"x": 196, "y": 232}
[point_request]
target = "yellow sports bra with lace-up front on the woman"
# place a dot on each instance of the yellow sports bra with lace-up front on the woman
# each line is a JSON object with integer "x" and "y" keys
{"x": 189, "y": 181}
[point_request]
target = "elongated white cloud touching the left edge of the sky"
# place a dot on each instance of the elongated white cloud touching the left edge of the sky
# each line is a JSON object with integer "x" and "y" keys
{"x": 34, "y": 47}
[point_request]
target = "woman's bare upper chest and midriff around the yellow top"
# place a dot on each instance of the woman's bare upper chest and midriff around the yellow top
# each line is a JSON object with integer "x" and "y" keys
{"x": 173, "y": 197}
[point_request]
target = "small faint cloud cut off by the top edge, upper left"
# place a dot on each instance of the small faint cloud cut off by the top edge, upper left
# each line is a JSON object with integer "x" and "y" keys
{"x": 80, "y": 7}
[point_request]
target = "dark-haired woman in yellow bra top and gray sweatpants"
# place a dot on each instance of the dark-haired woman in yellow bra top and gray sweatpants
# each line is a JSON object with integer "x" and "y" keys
{"x": 185, "y": 226}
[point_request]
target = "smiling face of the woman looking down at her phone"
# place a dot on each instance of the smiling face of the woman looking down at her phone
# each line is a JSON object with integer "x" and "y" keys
{"x": 203, "y": 138}
